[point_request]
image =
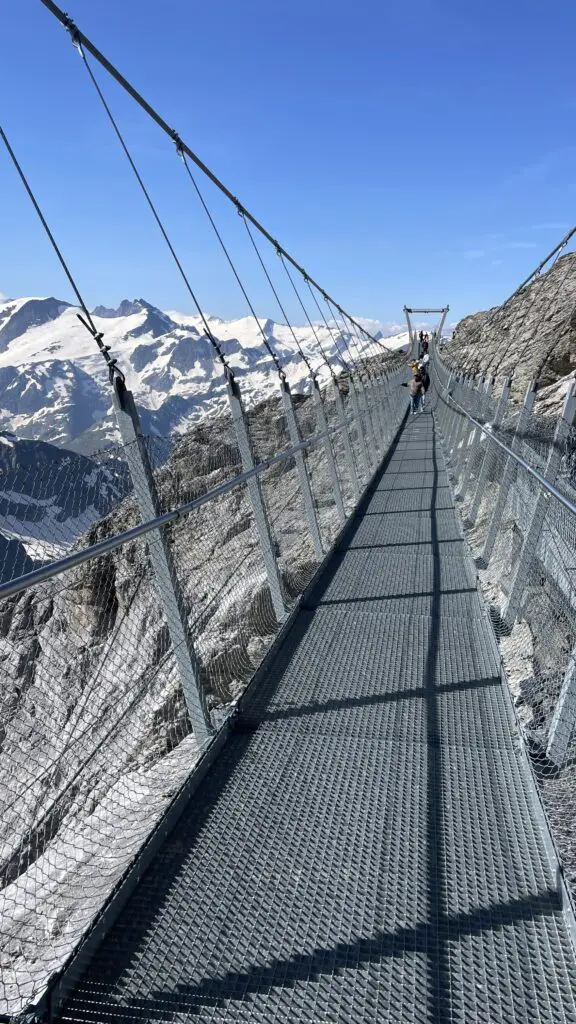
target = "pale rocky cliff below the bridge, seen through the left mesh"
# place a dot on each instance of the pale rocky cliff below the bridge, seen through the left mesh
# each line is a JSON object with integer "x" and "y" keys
{"x": 96, "y": 736}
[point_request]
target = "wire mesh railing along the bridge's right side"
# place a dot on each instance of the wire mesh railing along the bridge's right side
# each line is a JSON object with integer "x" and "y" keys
{"x": 520, "y": 521}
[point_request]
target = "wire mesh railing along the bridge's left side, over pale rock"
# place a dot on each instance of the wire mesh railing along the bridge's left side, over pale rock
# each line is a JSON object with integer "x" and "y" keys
{"x": 98, "y": 730}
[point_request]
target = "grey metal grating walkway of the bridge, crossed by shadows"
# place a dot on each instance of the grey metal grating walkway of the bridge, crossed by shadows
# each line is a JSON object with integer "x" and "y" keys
{"x": 367, "y": 848}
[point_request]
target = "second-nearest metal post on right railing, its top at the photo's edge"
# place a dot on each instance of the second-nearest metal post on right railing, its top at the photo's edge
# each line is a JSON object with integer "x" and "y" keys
{"x": 532, "y": 535}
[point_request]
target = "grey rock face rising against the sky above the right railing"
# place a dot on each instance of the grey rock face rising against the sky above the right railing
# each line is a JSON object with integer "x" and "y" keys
{"x": 533, "y": 336}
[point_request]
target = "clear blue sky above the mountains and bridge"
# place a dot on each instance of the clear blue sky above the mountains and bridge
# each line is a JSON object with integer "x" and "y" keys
{"x": 419, "y": 153}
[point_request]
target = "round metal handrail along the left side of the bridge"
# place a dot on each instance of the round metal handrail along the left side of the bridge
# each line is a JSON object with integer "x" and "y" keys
{"x": 112, "y": 543}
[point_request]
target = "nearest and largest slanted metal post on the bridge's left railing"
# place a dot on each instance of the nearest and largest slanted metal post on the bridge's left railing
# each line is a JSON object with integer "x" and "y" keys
{"x": 161, "y": 557}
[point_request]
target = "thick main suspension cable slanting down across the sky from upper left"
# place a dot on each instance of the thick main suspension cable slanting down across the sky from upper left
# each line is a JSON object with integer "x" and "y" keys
{"x": 70, "y": 25}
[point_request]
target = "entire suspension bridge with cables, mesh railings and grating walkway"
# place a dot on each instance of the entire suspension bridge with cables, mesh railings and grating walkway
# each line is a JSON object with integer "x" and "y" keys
{"x": 316, "y": 763}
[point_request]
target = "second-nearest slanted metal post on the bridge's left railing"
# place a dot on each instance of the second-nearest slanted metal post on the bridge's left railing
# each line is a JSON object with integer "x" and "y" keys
{"x": 256, "y": 493}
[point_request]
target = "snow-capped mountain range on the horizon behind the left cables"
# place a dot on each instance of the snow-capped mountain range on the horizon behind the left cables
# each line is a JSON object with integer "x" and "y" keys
{"x": 54, "y": 382}
